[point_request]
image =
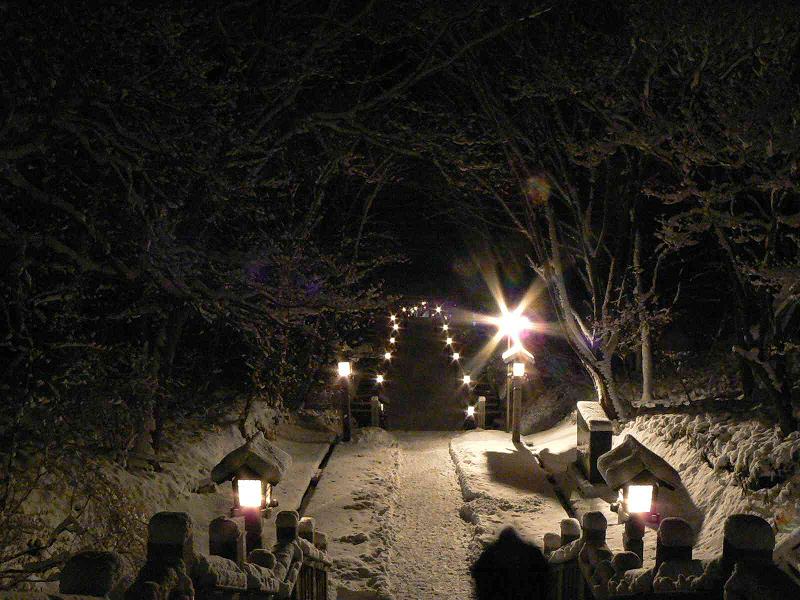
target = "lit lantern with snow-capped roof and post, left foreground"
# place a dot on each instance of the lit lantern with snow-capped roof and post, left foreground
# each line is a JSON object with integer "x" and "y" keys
{"x": 253, "y": 469}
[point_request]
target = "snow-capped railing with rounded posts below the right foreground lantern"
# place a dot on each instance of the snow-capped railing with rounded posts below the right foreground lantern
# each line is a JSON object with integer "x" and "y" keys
{"x": 585, "y": 568}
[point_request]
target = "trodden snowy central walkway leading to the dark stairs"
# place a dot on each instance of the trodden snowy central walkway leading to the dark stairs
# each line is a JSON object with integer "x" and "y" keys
{"x": 430, "y": 553}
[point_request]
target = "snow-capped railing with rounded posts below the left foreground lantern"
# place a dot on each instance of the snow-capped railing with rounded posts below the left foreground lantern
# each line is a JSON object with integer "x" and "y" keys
{"x": 296, "y": 567}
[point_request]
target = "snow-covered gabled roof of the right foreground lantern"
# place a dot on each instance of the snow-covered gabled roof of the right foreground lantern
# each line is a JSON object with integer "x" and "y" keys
{"x": 631, "y": 462}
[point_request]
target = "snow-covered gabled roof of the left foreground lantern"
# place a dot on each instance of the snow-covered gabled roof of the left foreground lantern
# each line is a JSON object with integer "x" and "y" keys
{"x": 258, "y": 457}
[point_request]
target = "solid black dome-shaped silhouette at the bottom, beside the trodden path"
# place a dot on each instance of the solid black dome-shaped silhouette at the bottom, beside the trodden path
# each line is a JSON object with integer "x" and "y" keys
{"x": 510, "y": 569}
